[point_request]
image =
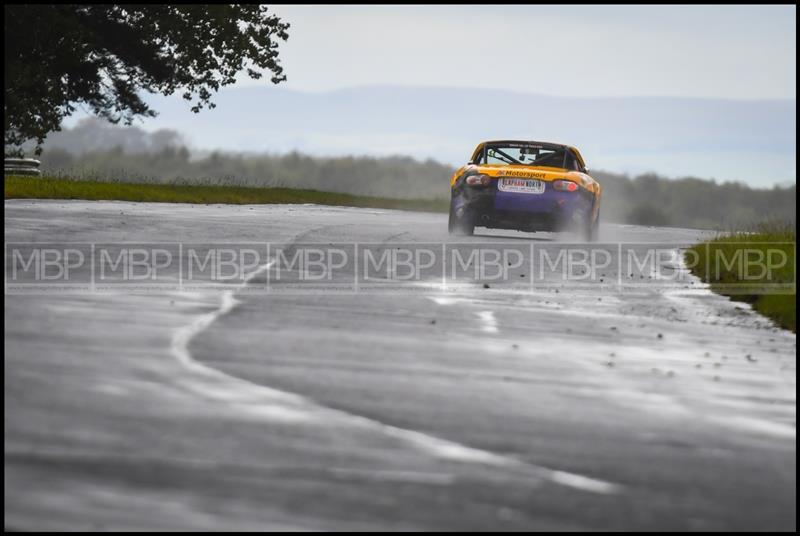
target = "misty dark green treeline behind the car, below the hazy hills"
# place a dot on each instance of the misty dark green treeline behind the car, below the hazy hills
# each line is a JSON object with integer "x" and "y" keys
{"x": 94, "y": 150}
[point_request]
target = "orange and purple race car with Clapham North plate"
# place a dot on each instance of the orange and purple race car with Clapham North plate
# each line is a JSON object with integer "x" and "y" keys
{"x": 526, "y": 186}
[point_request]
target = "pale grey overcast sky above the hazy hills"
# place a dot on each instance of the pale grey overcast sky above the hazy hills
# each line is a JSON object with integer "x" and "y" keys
{"x": 739, "y": 52}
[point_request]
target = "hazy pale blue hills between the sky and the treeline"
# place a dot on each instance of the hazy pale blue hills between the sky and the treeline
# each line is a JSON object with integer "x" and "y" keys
{"x": 749, "y": 141}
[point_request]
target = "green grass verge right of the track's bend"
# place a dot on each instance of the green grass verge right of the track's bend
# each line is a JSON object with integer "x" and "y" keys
{"x": 773, "y": 293}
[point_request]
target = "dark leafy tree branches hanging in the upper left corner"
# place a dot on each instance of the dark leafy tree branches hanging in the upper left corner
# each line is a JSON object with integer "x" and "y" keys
{"x": 105, "y": 56}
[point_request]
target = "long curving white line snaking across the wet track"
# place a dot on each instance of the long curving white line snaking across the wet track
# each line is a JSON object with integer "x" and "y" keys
{"x": 275, "y": 404}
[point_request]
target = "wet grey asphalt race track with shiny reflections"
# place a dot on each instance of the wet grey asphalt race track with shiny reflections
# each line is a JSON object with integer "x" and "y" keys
{"x": 431, "y": 408}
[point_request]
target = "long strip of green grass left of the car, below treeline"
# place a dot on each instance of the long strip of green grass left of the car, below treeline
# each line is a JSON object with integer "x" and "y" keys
{"x": 21, "y": 187}
